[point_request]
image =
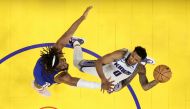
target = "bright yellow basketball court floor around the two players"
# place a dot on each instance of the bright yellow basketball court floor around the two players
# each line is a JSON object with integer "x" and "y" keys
{"x": 161, "y": 26}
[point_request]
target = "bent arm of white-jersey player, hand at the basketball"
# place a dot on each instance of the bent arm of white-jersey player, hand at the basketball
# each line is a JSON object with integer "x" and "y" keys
{"x": 146, "y": 85}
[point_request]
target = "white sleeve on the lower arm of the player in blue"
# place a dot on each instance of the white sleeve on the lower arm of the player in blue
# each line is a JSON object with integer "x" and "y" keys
{"x": 88, "y": 84}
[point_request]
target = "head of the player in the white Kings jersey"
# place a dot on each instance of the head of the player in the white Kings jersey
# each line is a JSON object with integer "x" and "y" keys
{"x": 138, "y": 54}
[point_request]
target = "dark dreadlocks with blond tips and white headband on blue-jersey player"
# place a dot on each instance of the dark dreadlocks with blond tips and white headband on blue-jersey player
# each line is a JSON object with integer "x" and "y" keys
{"x": 49, "y": 54}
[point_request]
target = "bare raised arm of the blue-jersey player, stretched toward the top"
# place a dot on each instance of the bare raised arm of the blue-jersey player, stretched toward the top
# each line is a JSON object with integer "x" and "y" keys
{"x": 64, "y": 39}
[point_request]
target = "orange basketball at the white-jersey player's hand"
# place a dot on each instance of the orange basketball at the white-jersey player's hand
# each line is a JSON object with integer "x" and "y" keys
{"x": 162, "y": 73}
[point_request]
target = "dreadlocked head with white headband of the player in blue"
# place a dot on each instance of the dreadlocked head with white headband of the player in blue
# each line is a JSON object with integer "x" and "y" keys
{"x": 53, "y": 59}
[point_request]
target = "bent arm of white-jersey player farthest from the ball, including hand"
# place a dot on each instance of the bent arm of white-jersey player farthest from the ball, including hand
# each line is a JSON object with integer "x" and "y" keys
{"x": 106, "y": 59}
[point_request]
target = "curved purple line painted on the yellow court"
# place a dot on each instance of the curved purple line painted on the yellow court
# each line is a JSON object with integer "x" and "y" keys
{"x": 68, "y": 46}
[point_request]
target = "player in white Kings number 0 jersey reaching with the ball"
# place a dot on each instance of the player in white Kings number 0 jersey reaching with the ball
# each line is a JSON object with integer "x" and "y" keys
{"x": 117, "y": 68}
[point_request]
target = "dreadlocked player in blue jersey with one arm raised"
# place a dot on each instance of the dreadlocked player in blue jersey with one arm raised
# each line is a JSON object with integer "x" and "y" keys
{"x": 52, "y": 67}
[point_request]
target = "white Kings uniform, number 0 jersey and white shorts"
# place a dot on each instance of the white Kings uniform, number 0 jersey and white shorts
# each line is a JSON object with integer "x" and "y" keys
{"x": 117, "y": 70}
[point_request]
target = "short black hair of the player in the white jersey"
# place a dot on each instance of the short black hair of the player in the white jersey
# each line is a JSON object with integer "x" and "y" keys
{"x": 141, "y": 52}
